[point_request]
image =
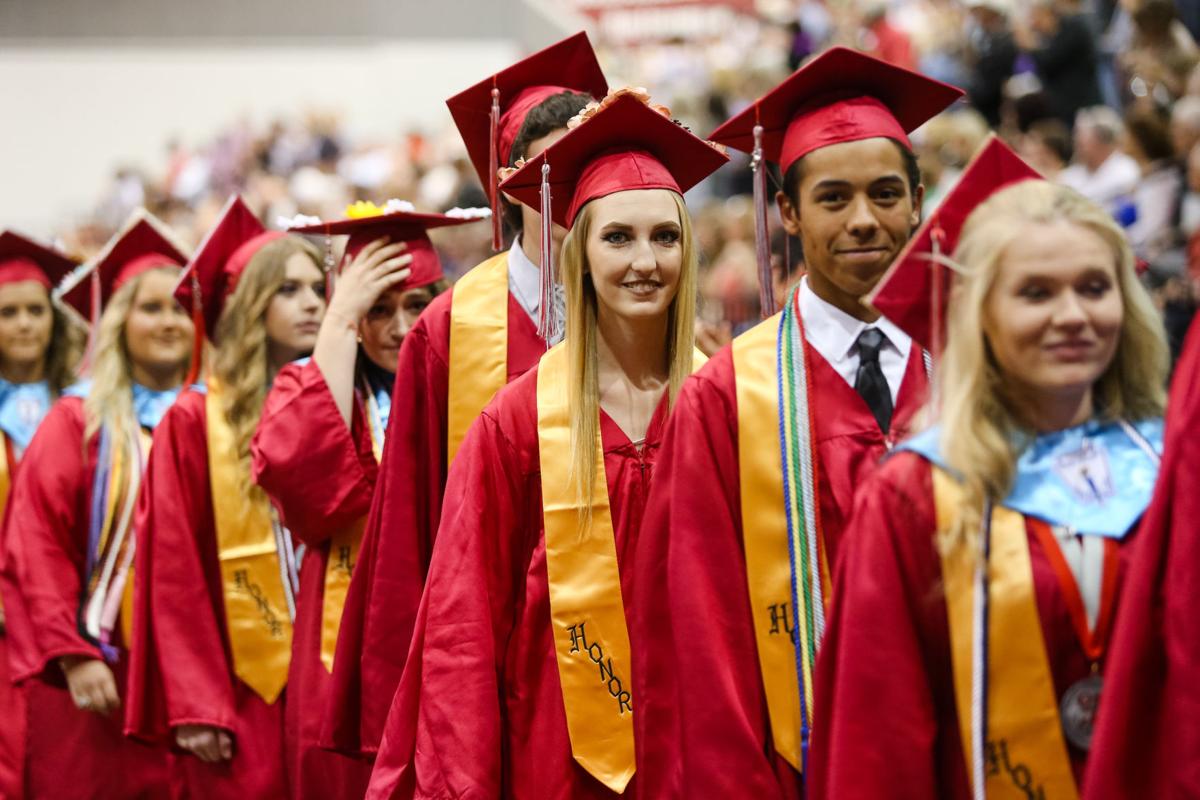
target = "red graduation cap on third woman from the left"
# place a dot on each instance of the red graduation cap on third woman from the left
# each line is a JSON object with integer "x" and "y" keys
{"x": 219, "y": 263}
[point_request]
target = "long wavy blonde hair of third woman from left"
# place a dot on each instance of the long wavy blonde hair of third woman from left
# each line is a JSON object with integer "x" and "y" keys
{"x": 241, "y": 357}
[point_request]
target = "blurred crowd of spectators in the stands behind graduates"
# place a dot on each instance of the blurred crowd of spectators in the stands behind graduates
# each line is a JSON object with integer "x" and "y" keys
{"x": 1102, "y": 95}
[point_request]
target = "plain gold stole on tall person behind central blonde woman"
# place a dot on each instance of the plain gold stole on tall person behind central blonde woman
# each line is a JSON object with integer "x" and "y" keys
{"x": 479, "y": 346}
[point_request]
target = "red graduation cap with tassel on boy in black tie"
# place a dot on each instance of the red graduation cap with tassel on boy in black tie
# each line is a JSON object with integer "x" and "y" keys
{"x": 839, "y": 97}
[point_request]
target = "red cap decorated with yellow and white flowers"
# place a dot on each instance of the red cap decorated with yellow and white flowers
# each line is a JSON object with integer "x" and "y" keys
{"x": 399, "y": 222}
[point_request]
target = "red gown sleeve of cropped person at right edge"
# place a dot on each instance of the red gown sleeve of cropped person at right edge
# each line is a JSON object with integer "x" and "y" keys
{"x": 1148, "y": 737}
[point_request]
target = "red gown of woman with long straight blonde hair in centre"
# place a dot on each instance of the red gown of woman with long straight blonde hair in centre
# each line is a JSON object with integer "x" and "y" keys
{"x": 479, "y": 713}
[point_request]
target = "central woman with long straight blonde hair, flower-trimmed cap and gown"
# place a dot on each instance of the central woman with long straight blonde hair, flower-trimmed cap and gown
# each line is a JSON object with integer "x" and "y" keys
{"x": 519, "y": 683}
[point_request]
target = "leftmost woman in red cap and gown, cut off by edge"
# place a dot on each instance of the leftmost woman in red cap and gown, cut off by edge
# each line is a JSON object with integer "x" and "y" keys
{"x": 39, "y": 351}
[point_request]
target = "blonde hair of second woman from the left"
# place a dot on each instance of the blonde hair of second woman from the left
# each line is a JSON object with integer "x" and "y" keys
{"x": 110, "y": 402}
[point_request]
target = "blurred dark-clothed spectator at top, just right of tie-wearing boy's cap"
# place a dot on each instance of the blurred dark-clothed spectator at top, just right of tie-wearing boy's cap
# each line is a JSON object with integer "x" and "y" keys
{"x": 992, "y": 55}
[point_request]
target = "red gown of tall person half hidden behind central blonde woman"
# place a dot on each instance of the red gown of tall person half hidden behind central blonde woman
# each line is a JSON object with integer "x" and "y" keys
{"x": 386, "y": 590}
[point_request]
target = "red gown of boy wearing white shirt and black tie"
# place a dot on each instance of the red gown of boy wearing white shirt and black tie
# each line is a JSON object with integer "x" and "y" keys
{"x": 703, "y": 721}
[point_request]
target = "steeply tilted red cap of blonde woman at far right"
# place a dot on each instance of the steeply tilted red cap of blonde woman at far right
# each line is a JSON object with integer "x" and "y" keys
{"x": 916, "y": 288}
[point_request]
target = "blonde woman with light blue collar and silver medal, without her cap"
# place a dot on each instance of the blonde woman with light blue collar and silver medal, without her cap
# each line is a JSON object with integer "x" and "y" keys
{"x": 986, "y": 560}
